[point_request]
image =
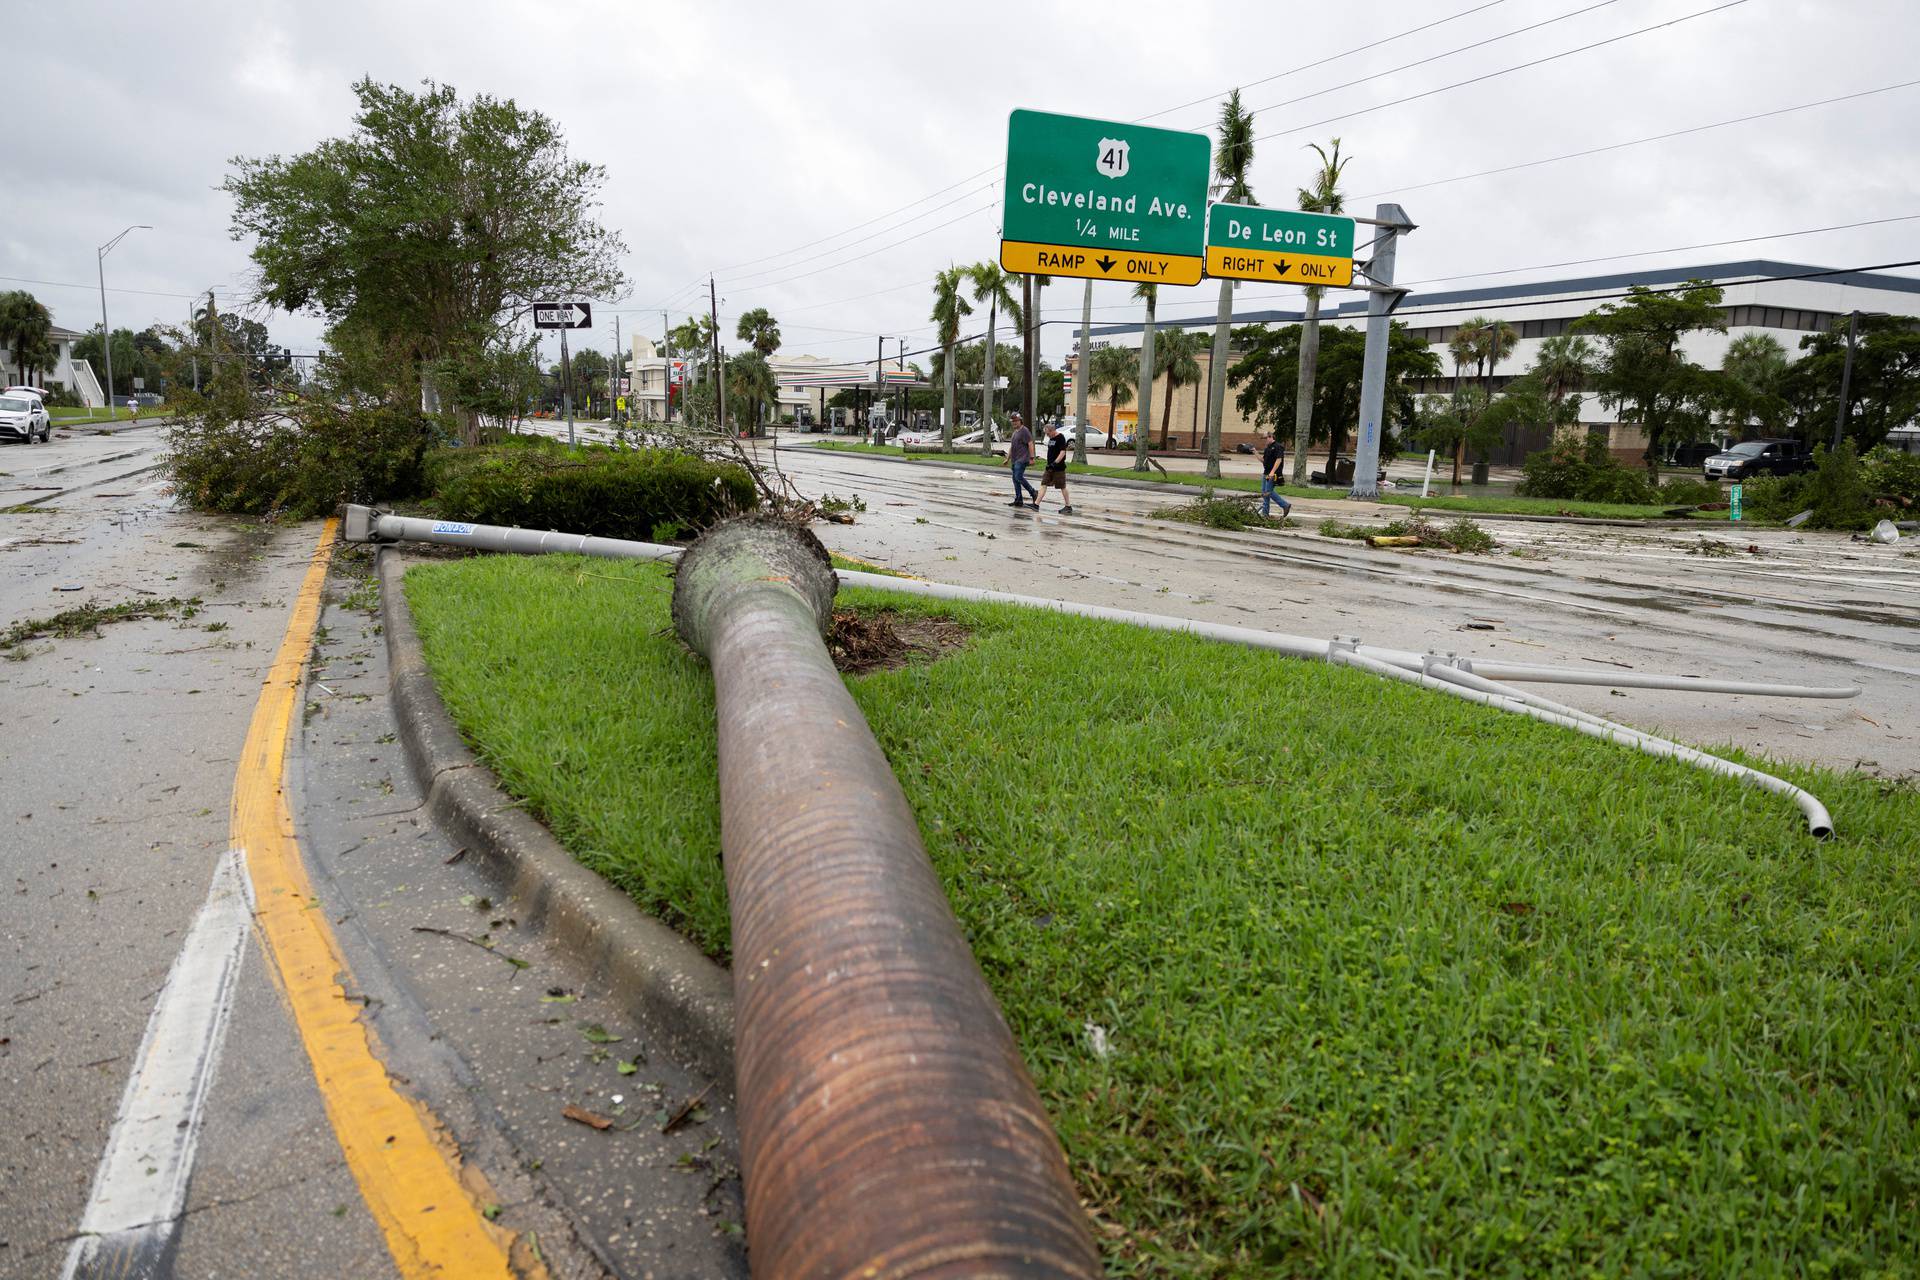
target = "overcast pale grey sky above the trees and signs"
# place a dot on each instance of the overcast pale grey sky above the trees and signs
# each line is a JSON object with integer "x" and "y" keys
{"x": 827, "y": 160}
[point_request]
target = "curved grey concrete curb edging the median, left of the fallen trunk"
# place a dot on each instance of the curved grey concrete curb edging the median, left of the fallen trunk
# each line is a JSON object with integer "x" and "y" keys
{"x": 650, "y": 968}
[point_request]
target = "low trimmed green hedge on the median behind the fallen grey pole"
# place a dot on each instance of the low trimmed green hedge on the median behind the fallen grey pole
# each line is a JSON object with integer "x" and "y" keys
{"x": 636, "y": 494}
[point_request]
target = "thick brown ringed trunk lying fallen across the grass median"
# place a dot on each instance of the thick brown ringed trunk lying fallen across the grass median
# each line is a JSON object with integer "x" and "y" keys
{"x": 888, "y": 1124}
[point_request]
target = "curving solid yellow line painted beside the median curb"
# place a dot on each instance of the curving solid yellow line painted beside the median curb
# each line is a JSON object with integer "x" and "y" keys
{"x": 408, "y": 1173}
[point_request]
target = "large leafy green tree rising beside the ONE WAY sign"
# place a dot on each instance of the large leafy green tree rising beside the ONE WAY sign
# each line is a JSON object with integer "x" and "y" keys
{"x": 433, "y": 225}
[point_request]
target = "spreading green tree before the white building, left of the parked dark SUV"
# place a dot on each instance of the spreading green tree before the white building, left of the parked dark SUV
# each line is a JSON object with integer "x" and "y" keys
{"x": 1644, "y": 373}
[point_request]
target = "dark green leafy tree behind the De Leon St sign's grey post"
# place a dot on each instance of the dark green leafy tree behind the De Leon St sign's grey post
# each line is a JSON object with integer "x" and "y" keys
{"x": 1268, "y": 375}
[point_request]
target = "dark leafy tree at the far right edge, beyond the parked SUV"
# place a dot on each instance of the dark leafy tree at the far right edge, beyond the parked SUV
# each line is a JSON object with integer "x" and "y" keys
{"x": 1883, "y": 394}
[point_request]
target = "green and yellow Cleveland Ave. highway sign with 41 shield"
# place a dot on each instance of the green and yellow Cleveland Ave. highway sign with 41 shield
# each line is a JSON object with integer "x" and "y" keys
{"x": 1105, "y": 201}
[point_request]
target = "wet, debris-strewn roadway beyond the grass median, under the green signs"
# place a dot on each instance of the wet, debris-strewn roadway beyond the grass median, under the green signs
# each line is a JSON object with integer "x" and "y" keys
{"x": 1796, "y": 609}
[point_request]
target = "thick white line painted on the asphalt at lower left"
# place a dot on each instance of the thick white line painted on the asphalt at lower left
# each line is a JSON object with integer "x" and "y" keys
{"x": 133, "y": 1216}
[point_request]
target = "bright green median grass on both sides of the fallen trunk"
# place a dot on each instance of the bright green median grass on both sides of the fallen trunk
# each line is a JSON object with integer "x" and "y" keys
{"x": 1395, "y": 985}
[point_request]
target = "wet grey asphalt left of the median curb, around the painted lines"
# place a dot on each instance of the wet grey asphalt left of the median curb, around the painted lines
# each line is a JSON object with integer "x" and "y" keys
{"x": 116, "y": 805}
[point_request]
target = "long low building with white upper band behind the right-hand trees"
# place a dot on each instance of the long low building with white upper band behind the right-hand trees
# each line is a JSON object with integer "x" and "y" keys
{"x": 1762, "y": 296}
